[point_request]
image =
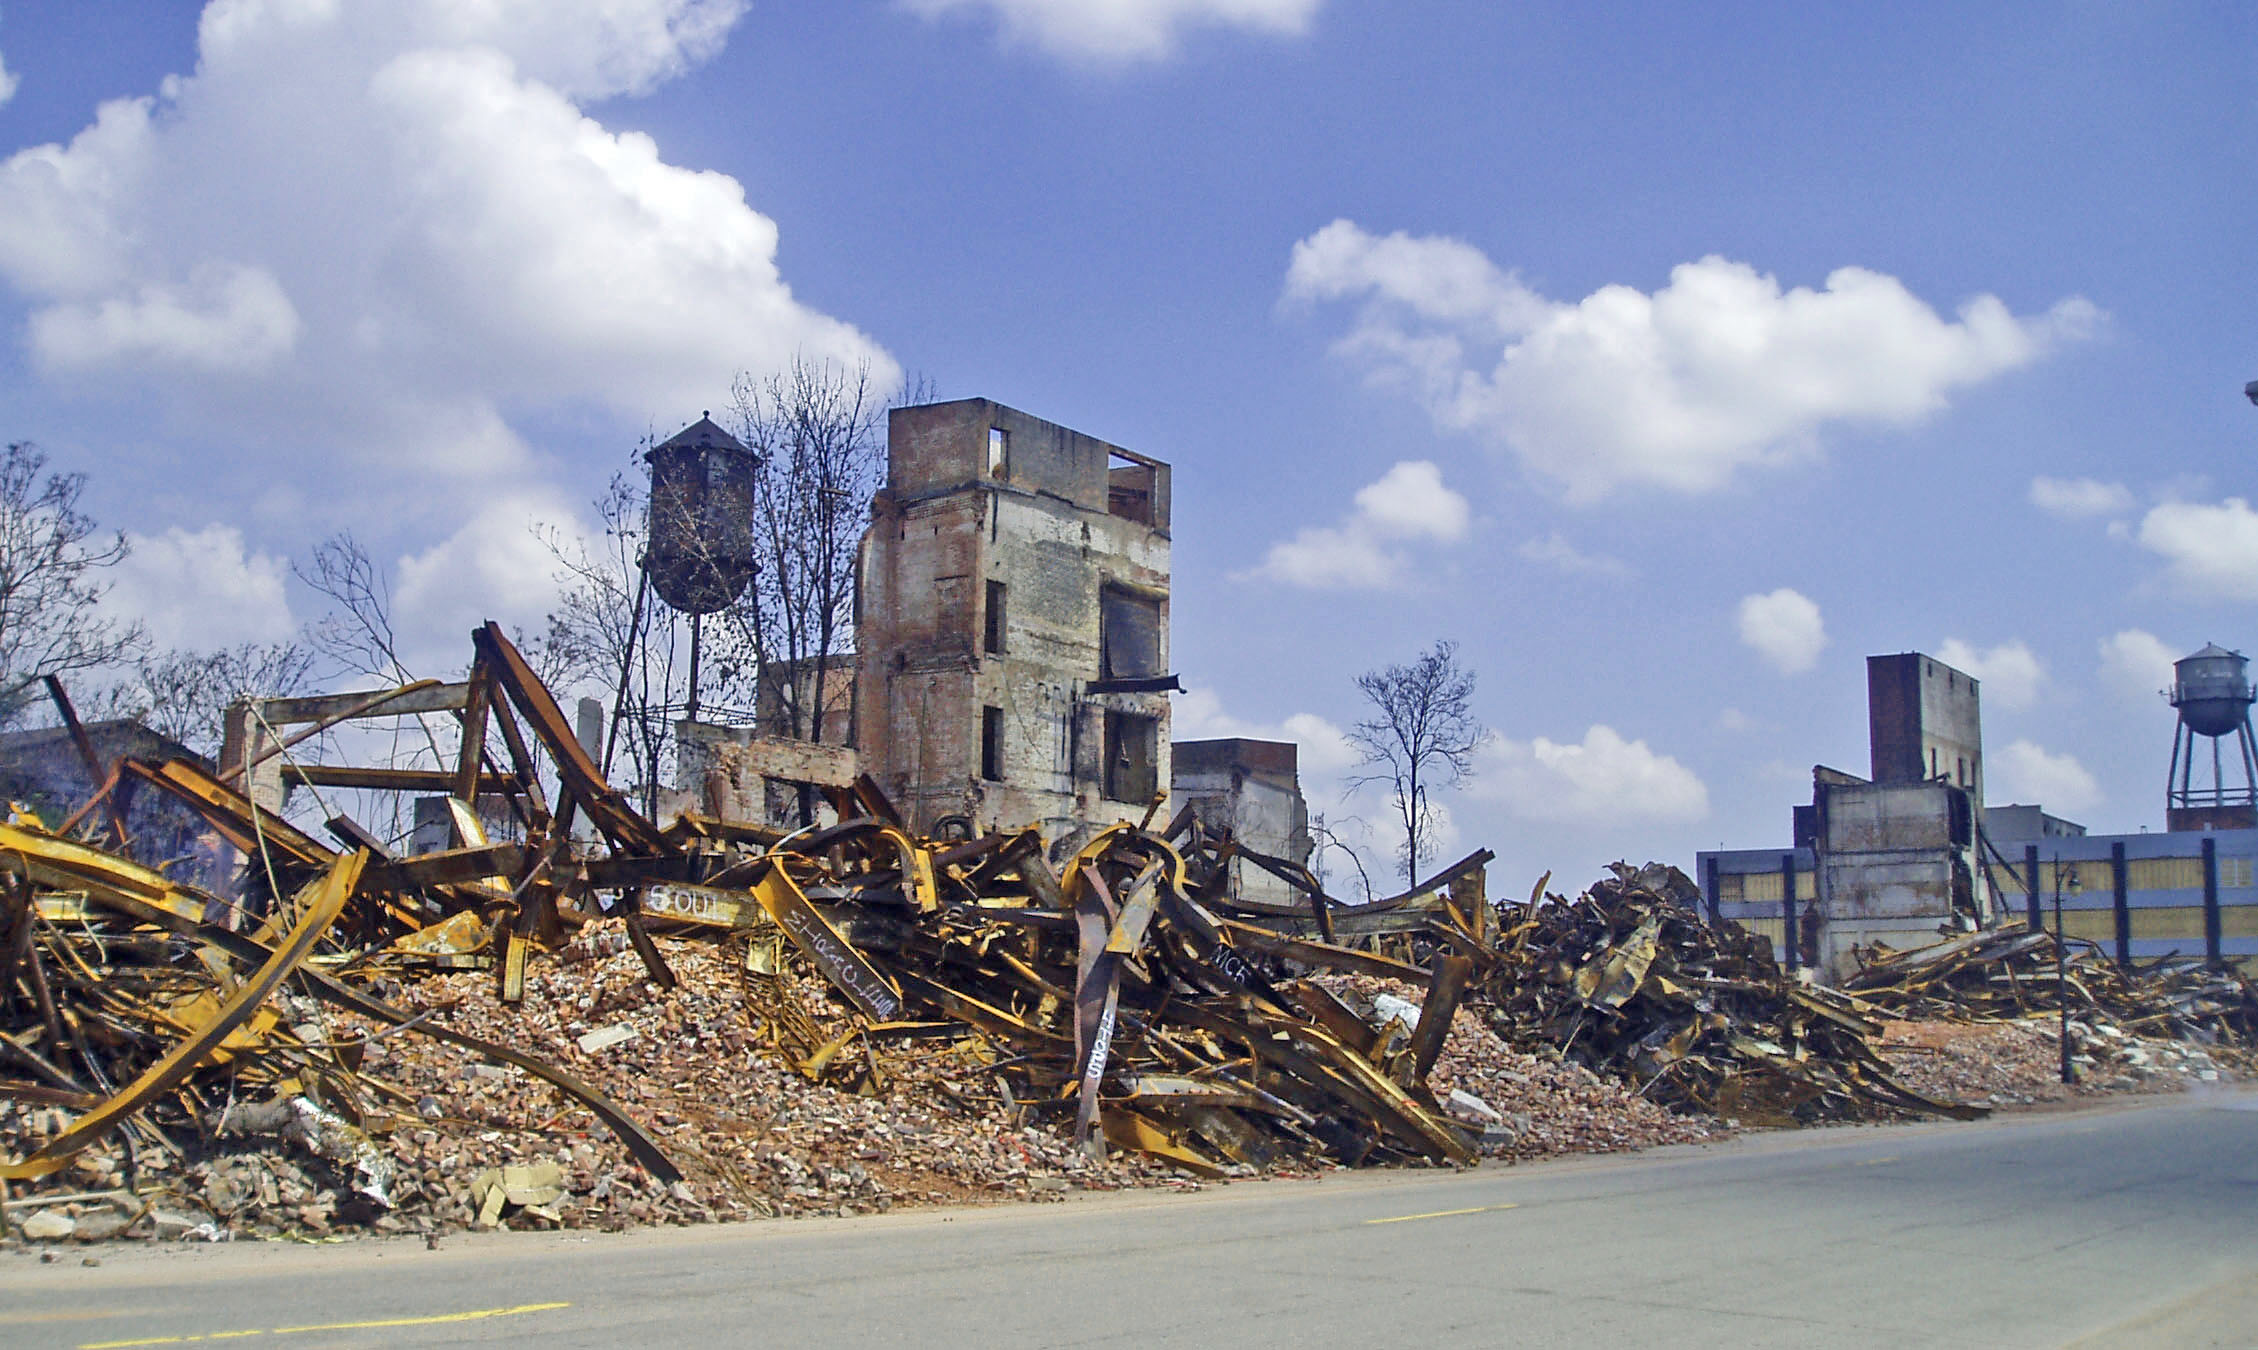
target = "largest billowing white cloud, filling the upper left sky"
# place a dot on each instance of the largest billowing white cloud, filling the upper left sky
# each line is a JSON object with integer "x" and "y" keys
{"x": 369, "y": 238}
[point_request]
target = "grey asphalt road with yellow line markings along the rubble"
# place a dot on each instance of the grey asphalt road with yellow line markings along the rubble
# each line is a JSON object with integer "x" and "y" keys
{"x": 2112, "y": 1227}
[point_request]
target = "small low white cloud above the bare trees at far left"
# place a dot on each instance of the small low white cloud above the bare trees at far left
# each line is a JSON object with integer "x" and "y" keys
{"x": 202, "y": 590}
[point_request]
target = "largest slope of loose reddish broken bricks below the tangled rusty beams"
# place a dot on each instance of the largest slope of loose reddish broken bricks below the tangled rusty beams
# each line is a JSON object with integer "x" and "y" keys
{"x": 907, "y": 1121}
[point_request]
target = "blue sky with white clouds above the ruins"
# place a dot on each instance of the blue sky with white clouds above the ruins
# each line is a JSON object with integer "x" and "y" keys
{"x": 1670, "y": 360}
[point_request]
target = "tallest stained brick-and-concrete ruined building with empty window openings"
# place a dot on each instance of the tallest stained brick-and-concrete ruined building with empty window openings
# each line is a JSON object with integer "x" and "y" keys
{"x": 1013, "y": 624}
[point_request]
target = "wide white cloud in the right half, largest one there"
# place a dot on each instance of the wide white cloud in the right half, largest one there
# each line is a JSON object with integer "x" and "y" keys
{"x": 1677, "y": 389}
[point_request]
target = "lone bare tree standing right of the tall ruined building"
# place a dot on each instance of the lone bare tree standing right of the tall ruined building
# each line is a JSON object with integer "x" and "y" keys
{"x": 1421, "y": 735}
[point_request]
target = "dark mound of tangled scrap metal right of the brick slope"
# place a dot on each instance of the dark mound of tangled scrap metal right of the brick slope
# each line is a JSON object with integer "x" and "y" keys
{"x": 1629, "y": 981}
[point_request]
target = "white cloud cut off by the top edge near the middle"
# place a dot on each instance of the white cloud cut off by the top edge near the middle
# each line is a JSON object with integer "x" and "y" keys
{"x": 1123, "y": 30}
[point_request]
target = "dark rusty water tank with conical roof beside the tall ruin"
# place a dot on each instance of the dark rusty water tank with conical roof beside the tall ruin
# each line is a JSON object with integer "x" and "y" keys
{"x": 701, "y": 550}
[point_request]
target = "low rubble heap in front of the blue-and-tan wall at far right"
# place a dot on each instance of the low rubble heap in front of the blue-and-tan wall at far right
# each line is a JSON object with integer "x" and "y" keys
{"x": 2008, "y": 974}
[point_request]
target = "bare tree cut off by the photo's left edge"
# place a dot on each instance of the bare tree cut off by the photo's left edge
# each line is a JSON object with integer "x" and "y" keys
{"x": 53, "y": 563}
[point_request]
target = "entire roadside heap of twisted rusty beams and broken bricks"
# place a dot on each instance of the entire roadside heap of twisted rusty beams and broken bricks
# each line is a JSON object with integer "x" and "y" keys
{"x": 599, "y": 1022}
